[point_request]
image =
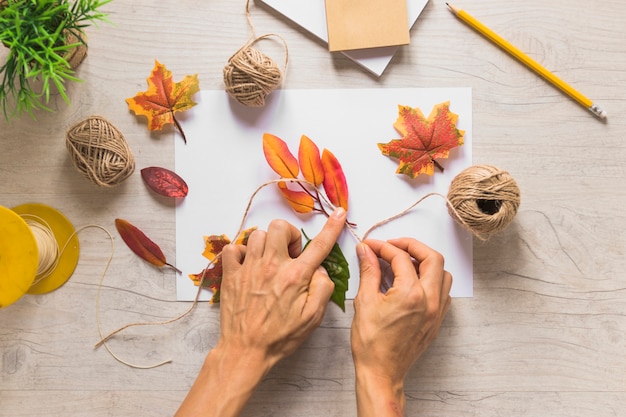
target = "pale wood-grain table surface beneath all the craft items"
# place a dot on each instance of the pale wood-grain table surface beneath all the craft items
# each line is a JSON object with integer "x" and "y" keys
{"x": 544, "y": 334}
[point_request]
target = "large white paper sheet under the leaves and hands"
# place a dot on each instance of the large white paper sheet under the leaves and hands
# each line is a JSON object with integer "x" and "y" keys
{"x": 223, "y": 164}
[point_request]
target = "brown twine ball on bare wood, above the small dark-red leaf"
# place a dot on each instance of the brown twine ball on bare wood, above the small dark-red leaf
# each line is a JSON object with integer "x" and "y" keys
{"x": 100, "y": 152}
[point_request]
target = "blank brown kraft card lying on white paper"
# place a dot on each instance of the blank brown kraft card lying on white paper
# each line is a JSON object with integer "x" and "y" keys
{"x": 359, "y": 24}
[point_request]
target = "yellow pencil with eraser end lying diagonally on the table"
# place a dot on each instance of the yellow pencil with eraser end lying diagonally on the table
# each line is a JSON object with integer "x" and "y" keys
{"x": 528, "y": 61}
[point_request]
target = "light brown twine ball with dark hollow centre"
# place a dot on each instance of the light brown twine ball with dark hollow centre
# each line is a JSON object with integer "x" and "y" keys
{"x": 484, "y": 199}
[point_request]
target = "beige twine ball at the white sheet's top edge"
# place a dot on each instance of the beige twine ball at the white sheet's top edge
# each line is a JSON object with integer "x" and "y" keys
{"x": 250, "y": 76}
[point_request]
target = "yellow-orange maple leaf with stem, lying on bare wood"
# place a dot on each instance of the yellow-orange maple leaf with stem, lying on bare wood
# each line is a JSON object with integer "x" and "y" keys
{"x": 164, "y": 97}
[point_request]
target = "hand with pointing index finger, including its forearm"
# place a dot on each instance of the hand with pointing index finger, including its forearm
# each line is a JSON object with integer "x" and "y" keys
{"x": 273, "y": 296}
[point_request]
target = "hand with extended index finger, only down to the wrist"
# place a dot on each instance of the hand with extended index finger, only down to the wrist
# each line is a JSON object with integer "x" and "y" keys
{"x": 274, "y": 294}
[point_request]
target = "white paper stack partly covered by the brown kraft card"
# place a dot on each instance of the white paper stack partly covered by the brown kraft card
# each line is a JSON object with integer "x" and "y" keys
{"x": 311, "y": 15}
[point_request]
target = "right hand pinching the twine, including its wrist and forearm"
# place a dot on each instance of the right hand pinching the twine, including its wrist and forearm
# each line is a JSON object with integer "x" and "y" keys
{"x": 391, "y": 330}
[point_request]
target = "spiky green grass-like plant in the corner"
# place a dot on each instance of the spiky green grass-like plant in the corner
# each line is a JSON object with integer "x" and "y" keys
{"x": 44, "y": 40}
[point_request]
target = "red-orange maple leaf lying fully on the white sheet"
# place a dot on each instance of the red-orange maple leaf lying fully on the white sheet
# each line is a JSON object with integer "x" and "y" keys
{"x": 423, "y": 139}
